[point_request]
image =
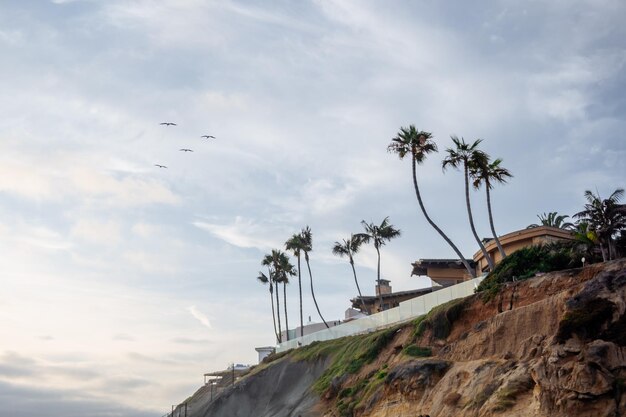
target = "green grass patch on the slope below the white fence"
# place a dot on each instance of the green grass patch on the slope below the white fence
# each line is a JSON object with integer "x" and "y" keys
{"x": 349, "y": 354}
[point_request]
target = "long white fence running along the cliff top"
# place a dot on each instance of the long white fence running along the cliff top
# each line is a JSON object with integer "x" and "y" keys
{"x": 407, "y": 310}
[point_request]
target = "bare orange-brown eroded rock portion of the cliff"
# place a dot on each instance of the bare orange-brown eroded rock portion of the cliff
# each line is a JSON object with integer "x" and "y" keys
{"x": 550, "y": 346}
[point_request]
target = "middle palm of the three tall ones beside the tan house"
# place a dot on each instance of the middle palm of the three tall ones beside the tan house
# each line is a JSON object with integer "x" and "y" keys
{"x": 467, "y": 155}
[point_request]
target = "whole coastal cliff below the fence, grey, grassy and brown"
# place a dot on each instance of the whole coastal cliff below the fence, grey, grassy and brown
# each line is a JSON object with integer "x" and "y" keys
{"x": 551, "y": 345}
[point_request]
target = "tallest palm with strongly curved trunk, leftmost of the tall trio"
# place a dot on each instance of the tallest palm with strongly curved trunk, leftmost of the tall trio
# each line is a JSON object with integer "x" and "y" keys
{"x": 418, "y": 144}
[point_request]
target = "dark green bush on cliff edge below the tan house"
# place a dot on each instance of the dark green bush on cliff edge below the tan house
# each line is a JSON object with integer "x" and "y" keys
{"x": 525, "y": 263}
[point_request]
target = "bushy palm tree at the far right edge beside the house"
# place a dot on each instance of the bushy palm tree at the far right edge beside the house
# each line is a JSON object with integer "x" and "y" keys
{"x": 606, "y": 218}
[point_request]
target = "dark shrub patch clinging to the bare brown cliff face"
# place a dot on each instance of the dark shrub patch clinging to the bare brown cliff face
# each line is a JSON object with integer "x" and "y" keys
{"x": 586, "y": 320}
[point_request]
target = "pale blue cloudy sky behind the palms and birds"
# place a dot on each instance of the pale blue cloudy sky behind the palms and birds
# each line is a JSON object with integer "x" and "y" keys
{"x": 123, "y": 283}
